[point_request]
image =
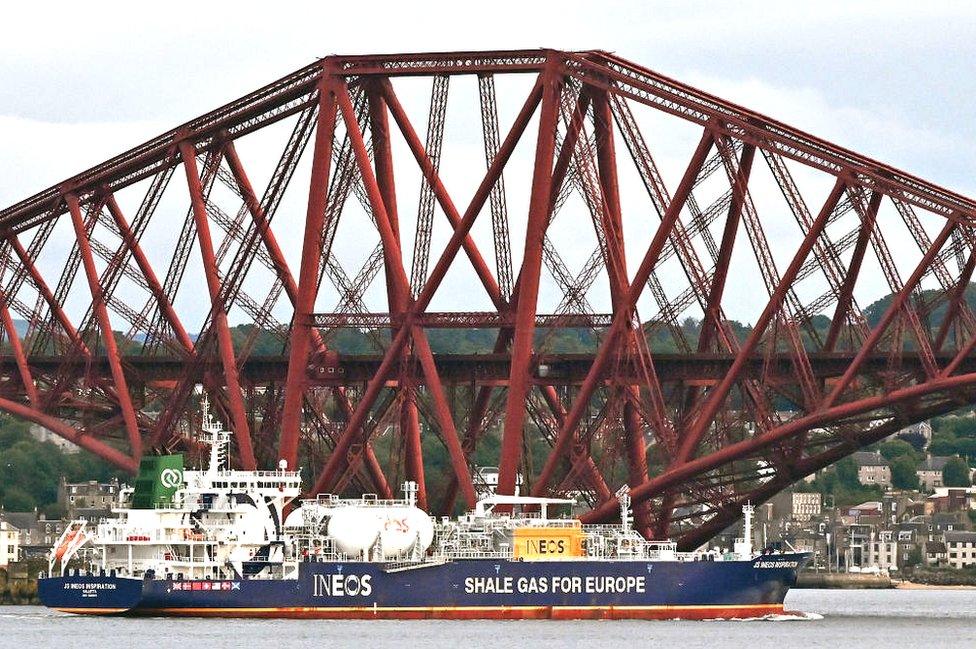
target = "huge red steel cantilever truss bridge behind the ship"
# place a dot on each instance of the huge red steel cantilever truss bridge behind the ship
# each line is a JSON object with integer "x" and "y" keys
{"x": 716, "y": 260}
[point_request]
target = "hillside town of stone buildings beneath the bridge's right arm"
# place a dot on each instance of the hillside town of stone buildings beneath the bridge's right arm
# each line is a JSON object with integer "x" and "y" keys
{"x": 897, "y": 510}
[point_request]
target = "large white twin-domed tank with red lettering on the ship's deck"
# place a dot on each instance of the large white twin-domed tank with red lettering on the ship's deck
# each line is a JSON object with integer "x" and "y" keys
{"x": 356, "y": 529}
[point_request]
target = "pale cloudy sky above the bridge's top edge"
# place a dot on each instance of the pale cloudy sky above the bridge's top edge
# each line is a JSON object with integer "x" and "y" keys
{"x": 84, "y": 81}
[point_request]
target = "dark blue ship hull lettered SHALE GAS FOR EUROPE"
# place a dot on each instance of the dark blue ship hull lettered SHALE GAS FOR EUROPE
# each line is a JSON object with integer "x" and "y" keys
{"x": 481, "y": 588}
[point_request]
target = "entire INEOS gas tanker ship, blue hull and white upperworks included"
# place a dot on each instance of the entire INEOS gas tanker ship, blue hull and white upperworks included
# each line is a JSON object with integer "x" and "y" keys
{"x": 228, "y": 543}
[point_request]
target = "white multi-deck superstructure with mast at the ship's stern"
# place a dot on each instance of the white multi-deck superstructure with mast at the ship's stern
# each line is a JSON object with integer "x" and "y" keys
{"x": 219, "y": 523}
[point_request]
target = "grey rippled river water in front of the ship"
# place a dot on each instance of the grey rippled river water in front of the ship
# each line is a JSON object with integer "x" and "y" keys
{"x": 830, "y": 618}
